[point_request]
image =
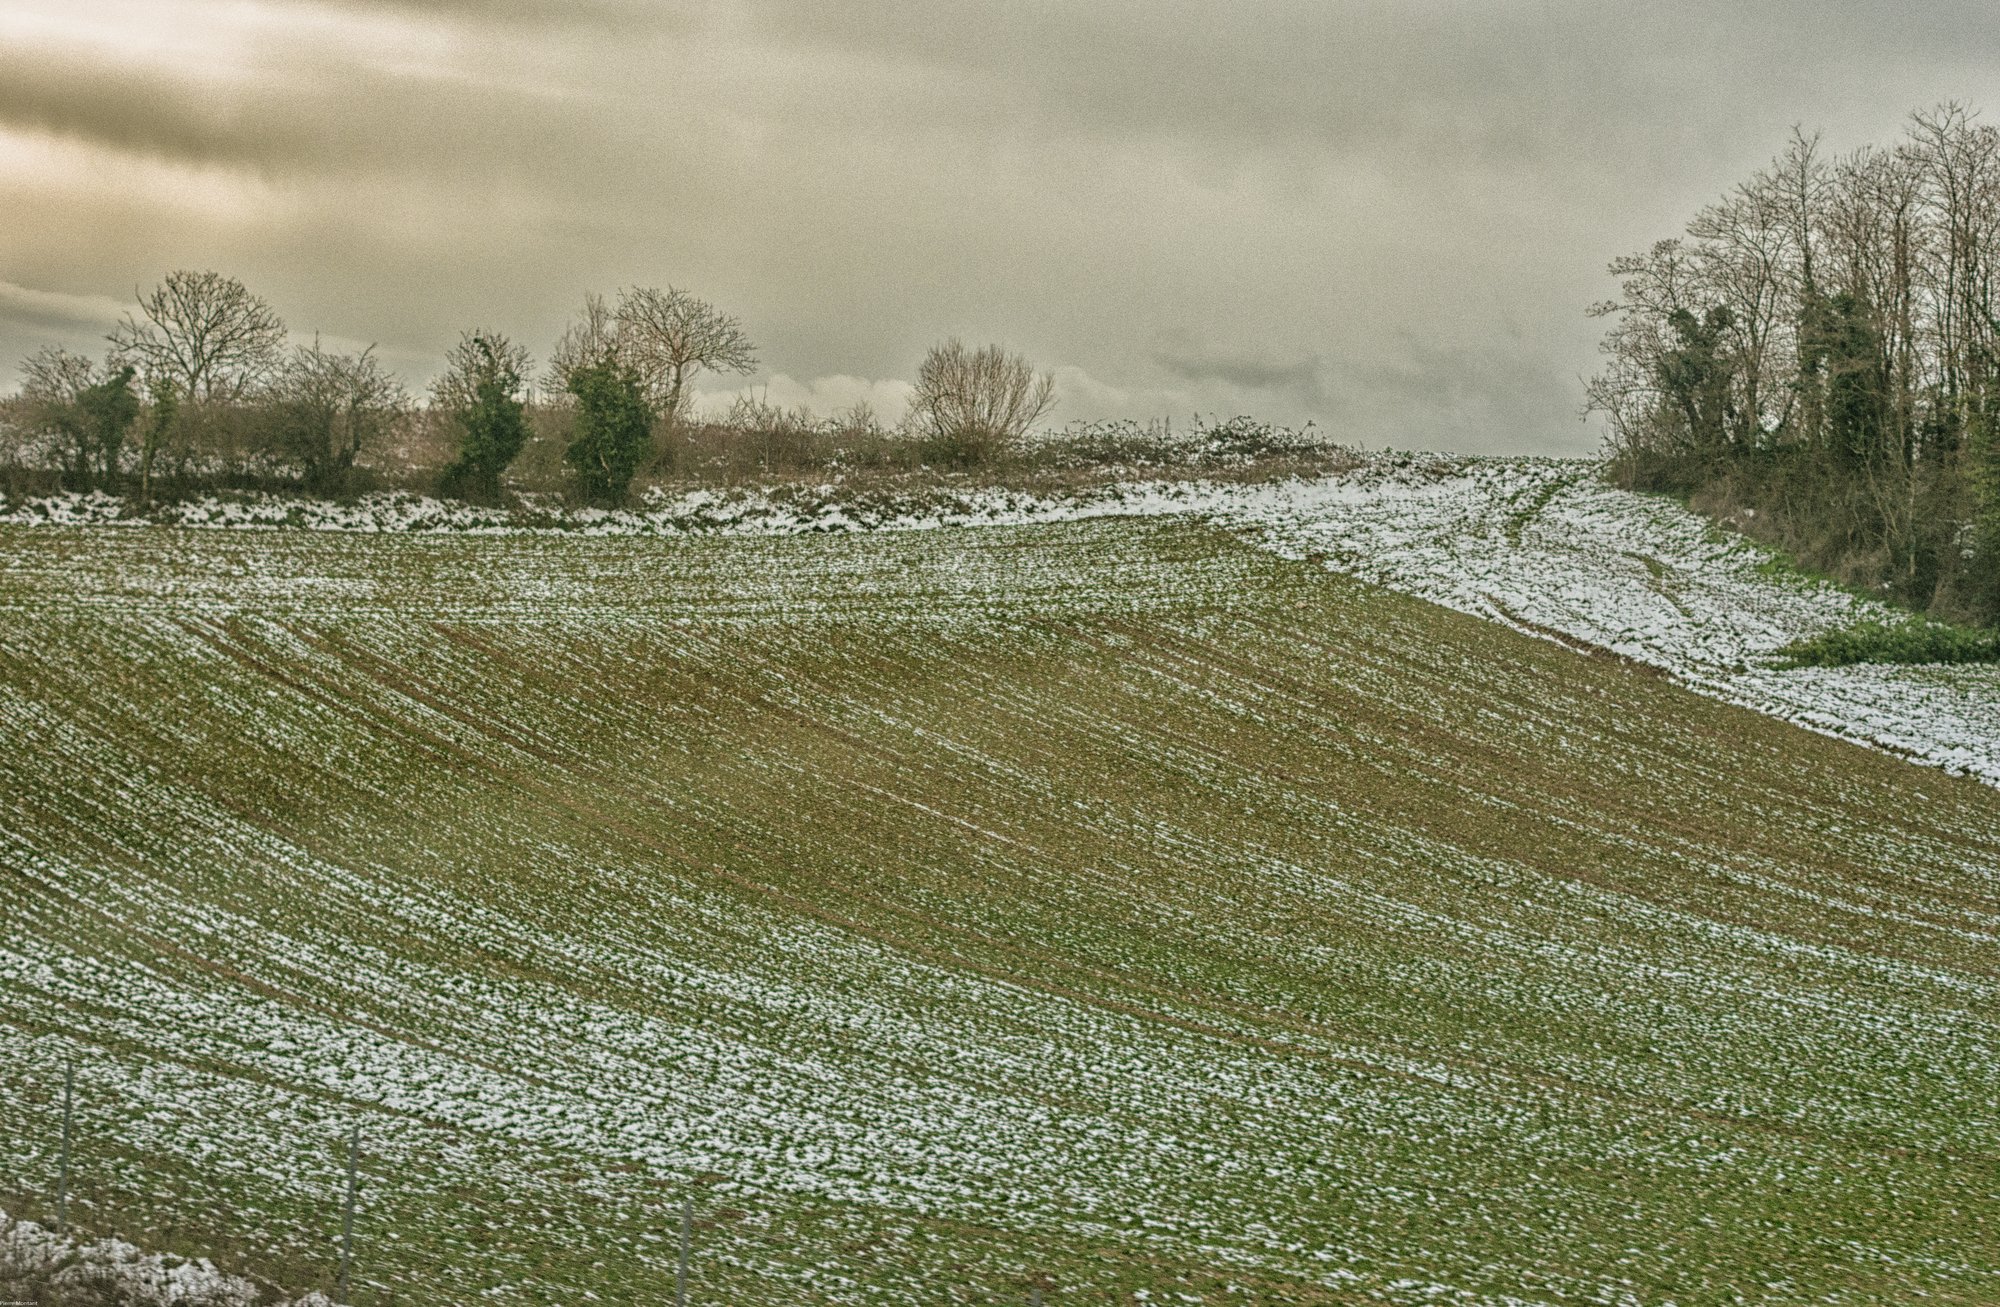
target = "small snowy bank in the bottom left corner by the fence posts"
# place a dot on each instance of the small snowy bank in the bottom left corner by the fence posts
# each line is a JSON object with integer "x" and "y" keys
{"x": 39, "y": 1262}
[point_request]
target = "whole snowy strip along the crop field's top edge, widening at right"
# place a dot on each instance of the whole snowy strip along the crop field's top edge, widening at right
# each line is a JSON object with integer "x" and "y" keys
{"x": 1539, "y": 545}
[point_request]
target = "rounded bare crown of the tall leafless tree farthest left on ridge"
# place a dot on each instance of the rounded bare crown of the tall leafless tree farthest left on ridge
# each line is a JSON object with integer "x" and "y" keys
{"x": 203, "y": 335}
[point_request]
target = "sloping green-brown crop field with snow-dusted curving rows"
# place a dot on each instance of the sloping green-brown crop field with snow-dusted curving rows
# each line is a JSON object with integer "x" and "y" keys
{"x": 1101, "y": 908}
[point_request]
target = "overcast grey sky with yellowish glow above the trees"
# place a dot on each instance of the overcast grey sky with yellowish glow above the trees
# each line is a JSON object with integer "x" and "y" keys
{"x": 1387, "y": 217}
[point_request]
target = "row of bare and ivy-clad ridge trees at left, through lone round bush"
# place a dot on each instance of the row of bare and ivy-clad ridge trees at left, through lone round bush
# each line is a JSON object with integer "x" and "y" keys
{"x": 201, "y": 365}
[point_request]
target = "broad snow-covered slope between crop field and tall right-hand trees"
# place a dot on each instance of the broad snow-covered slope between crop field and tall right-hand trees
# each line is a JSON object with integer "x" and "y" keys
{"x": 1545, "y": 547}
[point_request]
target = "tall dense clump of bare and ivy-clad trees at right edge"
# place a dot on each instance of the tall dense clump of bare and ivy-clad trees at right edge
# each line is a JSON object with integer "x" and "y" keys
{"x": 1819, "y": 361}
